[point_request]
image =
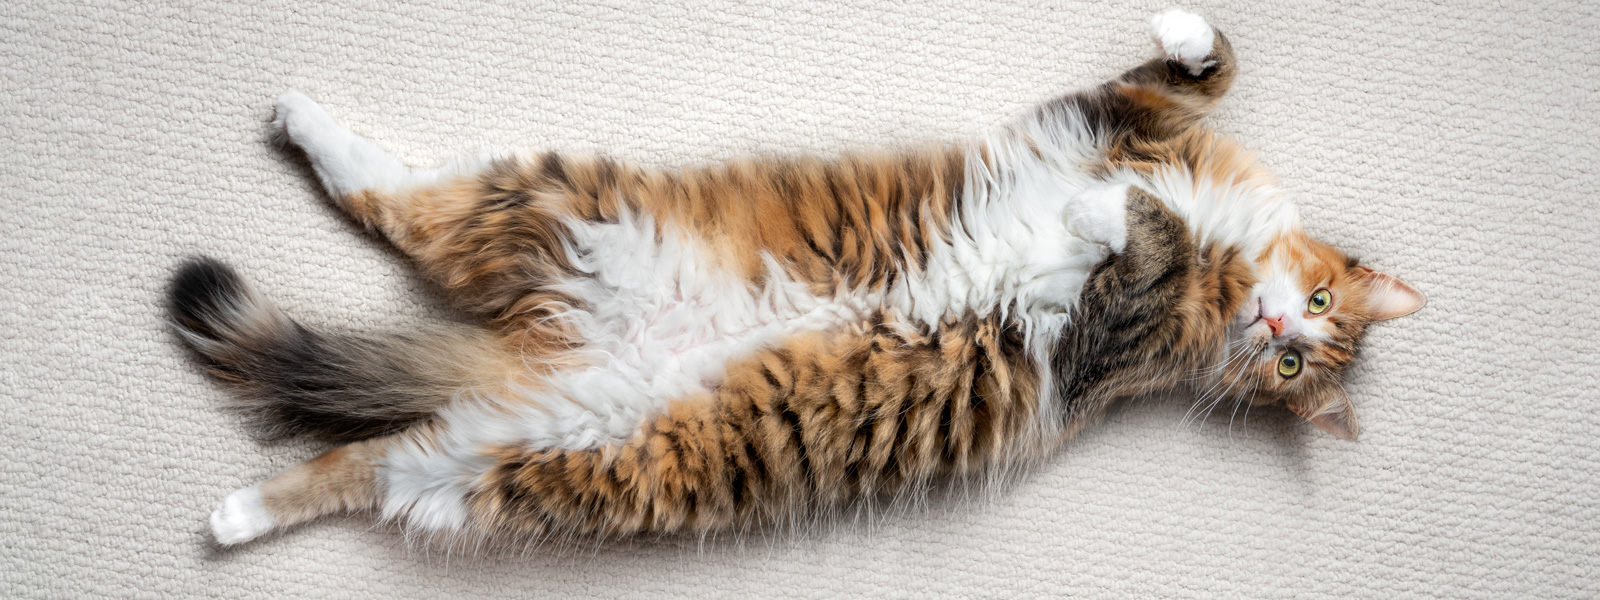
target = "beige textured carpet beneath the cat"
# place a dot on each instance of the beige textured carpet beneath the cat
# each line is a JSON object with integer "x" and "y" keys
{"x": 1452, "y": 145}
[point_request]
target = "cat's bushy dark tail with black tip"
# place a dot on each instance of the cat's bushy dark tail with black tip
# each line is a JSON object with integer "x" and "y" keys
{"x": 292, "y": 380}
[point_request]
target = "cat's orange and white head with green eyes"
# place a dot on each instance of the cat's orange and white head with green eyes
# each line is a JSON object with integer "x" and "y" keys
{"x": 1302, "y": 324}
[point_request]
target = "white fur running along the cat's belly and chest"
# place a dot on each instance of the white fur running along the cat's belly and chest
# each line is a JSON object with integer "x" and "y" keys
{"x": 660, "y": 324}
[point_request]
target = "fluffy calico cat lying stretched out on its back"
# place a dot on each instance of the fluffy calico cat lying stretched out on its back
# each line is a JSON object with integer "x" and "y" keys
{"x": 759, "y": 340}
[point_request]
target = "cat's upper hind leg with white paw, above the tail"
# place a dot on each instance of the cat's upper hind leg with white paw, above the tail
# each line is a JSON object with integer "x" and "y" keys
{"x": 492, "y": 233}
